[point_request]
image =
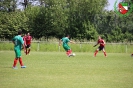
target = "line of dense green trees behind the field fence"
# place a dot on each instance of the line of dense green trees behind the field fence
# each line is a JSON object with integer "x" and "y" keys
{"x": 81, "y": 19}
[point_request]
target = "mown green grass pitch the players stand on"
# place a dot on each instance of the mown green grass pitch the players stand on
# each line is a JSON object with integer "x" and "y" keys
{"x": 55, "y": 70}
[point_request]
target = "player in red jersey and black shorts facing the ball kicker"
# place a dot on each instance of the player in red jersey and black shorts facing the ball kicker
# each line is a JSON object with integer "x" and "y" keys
{"x": 101, "y": 46}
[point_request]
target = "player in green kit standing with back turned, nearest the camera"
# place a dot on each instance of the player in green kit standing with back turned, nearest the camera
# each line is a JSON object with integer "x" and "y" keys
{"x": 18, "y": 45}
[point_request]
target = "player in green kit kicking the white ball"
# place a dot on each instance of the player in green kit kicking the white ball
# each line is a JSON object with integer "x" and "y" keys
{"x": 66, "y": 47}
